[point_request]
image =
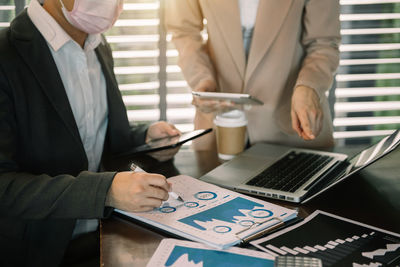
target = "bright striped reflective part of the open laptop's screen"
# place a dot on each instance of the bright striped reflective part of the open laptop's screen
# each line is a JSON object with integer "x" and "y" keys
{"x": 373, "y": 153}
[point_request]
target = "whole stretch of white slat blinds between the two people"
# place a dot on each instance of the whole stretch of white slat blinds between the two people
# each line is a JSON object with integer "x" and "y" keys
{"x": 145, "y": 65}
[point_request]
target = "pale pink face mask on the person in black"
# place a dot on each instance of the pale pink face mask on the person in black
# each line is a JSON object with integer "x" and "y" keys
{"x": 93, "y": 16}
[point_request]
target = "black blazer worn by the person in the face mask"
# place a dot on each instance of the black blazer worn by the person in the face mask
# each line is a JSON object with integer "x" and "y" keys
{"x": 44, "y": 185}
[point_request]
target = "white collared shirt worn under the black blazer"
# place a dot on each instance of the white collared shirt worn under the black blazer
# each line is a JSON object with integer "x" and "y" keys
{"x": 84, "y": 84}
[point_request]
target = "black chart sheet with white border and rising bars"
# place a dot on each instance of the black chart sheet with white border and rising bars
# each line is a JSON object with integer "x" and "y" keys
{"x": 337, "y": 241}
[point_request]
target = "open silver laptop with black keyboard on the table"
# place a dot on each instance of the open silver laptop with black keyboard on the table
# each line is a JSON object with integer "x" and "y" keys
{"x": 292, "y": 174}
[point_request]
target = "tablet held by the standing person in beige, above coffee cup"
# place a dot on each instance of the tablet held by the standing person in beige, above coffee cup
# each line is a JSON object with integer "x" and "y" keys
{"x": 236, "y": 98}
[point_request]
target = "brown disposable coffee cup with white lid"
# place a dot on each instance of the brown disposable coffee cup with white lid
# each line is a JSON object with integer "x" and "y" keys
{"x": 231, "y": 133}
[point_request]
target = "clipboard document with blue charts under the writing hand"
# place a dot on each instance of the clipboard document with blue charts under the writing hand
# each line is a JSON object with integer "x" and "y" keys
{"x": 213, "y": 215}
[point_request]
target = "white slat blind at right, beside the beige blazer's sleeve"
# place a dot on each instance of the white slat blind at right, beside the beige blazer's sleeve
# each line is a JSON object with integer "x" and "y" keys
{"x": 368, "y": 80}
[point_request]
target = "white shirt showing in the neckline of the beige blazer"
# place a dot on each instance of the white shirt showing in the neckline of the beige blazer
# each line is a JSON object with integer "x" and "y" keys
{"x": 248, "y": 13}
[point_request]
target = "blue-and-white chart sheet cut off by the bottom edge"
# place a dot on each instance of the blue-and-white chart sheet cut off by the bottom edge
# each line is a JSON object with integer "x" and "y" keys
{"x": 178, "y": 253}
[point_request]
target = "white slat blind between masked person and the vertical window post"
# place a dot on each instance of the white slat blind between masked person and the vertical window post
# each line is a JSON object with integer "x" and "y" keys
{"x": 134, "y": 40}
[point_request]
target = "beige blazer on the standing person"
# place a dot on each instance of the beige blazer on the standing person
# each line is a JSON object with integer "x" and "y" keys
{"x": 295, "y": 42}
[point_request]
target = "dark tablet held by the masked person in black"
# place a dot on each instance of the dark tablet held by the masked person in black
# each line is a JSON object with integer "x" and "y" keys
{"x": 168, "y": 142}
